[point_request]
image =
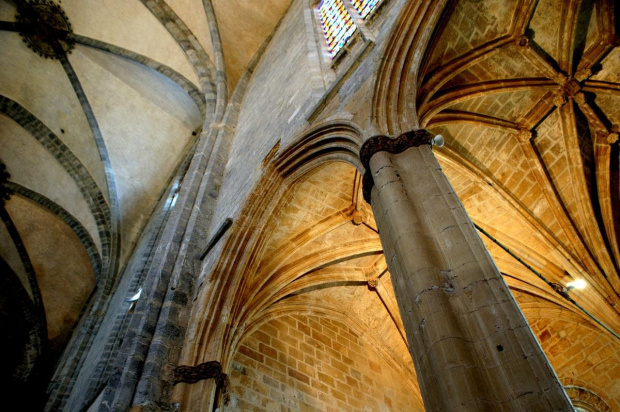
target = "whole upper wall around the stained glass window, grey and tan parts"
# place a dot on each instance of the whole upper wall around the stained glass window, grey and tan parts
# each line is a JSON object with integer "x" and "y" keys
{"x": 286, "y": 92}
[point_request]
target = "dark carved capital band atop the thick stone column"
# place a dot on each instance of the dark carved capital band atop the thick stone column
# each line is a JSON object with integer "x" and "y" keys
{"x": 393, "y": 145}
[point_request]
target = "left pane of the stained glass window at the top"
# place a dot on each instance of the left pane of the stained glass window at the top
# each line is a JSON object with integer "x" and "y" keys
{"x": 337, "y": 25}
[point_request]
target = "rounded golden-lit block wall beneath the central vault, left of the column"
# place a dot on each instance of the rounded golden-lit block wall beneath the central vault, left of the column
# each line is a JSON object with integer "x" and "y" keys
{"x": 310, "y": 363}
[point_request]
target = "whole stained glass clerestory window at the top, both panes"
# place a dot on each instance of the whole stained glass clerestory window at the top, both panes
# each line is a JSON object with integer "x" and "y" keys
{"x": 337, "y": 21}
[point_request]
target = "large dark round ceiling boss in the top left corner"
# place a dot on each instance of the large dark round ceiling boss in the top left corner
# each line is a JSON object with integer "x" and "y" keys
{"x": 44, "y": 28}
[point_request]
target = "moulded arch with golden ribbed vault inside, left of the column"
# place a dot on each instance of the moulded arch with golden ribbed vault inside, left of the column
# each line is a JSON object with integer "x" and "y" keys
{"x": 268, "y": 259}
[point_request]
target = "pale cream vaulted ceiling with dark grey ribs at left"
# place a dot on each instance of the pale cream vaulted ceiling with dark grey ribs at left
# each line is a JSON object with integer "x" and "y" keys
{"x": 91, "y": 140}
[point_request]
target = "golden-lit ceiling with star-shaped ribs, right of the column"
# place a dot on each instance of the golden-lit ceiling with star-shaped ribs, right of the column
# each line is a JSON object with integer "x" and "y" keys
{"x": 526, "y": 94}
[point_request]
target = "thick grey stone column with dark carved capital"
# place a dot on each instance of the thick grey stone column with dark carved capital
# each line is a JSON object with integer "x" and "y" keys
{"x": 471, "y": 345}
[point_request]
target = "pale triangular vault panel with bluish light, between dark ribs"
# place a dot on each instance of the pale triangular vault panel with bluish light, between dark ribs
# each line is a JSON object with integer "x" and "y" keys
{"x": 162, "y": 117}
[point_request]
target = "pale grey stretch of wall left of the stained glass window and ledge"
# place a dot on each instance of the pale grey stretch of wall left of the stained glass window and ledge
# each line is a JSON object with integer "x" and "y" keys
{"x": 277, "y": 98}
